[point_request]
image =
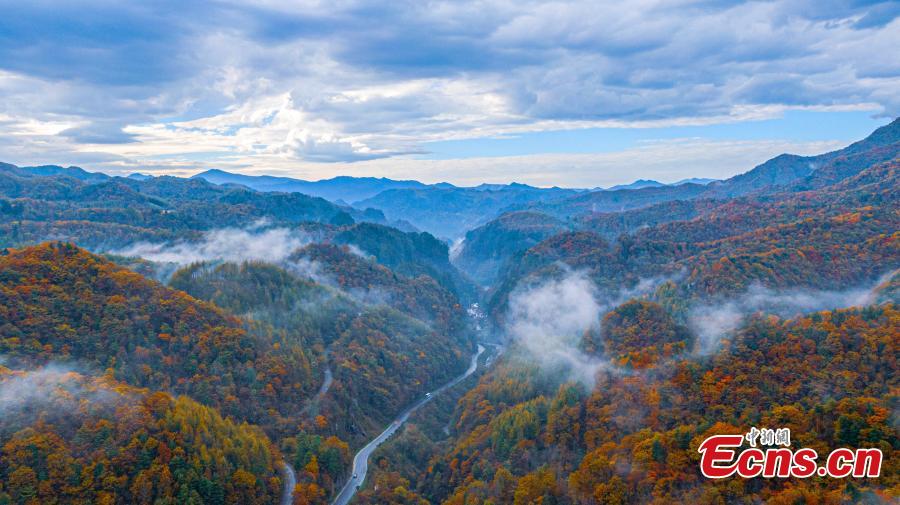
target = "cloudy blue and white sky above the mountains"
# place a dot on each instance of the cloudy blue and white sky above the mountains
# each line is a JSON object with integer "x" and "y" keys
{"x": 569, "y": 93}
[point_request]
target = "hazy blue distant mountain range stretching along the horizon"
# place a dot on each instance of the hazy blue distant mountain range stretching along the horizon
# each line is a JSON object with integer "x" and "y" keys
{"x": 449, "y": 212}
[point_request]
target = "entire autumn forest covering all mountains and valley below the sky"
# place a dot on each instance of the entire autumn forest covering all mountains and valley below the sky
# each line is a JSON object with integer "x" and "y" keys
{"x": 169, "y": 340}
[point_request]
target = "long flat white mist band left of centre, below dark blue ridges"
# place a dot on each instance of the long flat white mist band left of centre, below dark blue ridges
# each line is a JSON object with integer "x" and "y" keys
{"x": 226, "y": 244}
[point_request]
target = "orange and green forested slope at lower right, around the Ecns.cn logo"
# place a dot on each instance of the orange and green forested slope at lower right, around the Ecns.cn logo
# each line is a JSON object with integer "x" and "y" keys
{"x": 633, "y": 438}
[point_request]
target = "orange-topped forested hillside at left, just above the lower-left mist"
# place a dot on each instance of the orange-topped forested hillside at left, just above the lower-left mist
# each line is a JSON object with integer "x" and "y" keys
{"x": 60, "y": 302}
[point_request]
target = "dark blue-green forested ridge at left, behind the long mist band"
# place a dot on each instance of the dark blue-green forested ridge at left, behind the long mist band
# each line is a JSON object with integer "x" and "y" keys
{"x": 115, "y": 212}
